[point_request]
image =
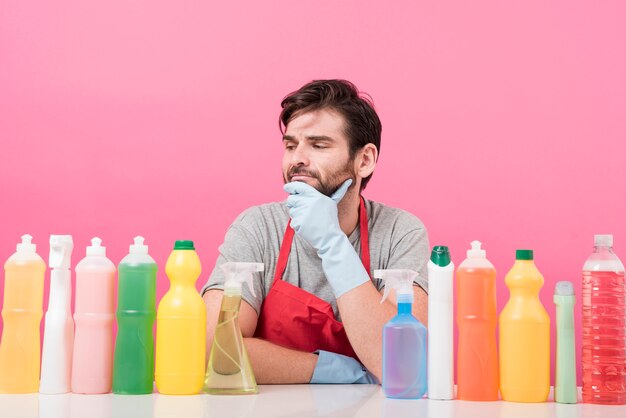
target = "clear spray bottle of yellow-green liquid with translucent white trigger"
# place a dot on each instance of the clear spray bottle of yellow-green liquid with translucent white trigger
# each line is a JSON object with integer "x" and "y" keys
{"x": 229, "y": 370}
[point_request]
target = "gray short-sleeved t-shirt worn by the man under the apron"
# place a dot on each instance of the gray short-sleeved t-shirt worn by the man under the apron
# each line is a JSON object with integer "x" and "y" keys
{"x": 397, "y": 240}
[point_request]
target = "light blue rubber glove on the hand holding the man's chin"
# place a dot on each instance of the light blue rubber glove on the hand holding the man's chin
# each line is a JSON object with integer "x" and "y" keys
{"x": 314, "y": 218}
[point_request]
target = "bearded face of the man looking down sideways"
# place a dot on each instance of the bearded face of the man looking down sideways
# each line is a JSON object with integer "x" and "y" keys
{"x": 317, "y": 151}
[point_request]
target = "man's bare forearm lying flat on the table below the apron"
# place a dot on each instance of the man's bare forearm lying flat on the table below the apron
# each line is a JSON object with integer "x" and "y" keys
{"x": 273, "y": 364}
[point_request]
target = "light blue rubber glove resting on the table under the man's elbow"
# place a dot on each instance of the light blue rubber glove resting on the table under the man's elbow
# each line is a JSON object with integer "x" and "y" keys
{"x": 337, "y": 368}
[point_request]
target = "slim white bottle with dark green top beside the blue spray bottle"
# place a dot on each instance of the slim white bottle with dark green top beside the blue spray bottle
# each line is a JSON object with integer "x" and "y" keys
{"x": 440, "y": 327}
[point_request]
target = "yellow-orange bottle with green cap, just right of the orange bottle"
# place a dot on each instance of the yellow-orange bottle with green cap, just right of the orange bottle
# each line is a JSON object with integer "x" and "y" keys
{"x": 524, "y": 335}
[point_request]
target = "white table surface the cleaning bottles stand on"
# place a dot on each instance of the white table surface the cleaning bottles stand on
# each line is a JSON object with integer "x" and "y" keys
{"x": 285, "y": 401}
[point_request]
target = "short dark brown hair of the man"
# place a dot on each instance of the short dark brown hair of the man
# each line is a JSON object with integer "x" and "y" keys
{"x": 362, "y": 125}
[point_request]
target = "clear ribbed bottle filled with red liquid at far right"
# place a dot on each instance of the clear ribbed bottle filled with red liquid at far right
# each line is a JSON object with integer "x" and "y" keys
{"x": 604, "y": 326}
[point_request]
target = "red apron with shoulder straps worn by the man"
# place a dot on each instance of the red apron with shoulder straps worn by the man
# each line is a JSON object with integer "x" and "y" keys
{"x": 294, "y": 318}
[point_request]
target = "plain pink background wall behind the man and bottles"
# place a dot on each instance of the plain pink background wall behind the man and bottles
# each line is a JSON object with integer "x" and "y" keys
{"x": 504, "y": 121}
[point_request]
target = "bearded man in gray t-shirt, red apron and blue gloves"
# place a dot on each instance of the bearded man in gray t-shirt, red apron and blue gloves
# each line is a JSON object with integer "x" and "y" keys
{"x": 317, "y": 310}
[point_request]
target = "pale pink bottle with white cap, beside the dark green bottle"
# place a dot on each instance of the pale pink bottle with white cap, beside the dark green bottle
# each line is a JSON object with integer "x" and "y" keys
{"x": 94, "y": 314}
